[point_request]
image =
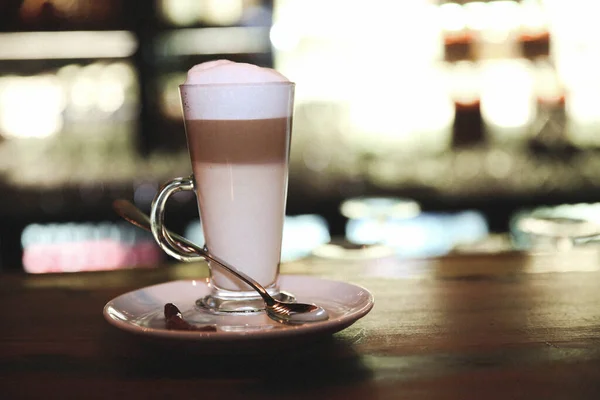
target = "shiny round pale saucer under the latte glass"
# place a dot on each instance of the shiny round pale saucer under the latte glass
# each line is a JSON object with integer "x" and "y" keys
{"x": 141, "y": 311}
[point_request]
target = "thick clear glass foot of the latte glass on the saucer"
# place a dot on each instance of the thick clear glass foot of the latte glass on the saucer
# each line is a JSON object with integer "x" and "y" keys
{"x": 227, "y": 302}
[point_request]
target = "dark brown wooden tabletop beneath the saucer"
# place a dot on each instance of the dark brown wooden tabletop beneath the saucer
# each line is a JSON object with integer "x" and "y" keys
{"x": 455, "y": 328}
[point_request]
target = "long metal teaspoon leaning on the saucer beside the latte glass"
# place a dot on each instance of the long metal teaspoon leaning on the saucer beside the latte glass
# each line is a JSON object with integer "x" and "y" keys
{"x": 291, "y": 313}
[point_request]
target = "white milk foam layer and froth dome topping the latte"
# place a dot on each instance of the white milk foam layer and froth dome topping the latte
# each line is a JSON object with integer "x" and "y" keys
{"x": 207, "y": 95}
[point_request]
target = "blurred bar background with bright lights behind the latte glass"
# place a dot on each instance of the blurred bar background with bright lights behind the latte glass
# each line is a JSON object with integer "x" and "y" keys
{"x": 421, "y": 128}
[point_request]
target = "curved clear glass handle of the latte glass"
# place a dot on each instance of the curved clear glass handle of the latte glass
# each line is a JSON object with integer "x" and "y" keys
{"x": 157, "y": 218}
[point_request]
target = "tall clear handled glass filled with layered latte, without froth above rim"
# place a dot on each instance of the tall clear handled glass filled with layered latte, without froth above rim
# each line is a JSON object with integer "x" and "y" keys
{"x": 238, "y": 138}
